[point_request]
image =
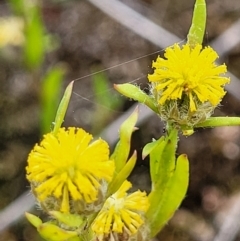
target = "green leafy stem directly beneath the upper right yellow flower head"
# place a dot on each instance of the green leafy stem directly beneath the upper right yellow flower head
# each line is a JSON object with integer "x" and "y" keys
{"x": 169, "y": 180}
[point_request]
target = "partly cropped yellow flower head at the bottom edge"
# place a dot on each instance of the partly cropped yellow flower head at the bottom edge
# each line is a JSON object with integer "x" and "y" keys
{"x": 122, "y": 214}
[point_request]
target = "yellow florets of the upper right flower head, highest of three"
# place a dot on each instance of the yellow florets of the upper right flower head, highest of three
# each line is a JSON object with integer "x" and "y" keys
{"x": 190, "y": 73}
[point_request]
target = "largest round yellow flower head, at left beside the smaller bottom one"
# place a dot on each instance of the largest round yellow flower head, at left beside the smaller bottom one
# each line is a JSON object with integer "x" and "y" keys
{"x": 67, "y": 168}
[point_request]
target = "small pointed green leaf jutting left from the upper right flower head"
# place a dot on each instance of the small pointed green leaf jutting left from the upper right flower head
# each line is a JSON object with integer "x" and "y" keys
{"x": 134, "y": 92}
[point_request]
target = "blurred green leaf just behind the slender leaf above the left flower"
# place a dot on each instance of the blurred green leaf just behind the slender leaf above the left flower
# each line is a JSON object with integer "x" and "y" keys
{"x": 50, "y": 94}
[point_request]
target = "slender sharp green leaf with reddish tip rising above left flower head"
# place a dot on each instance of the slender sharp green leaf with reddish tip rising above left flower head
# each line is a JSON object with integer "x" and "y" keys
{"x": 62, "y": 109}
